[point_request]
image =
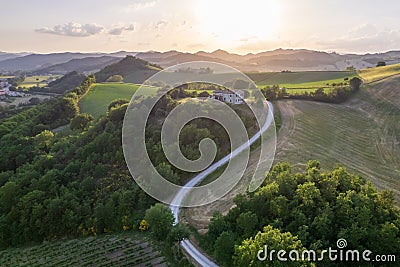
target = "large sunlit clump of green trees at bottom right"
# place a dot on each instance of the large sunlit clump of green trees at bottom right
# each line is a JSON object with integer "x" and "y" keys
{"x": 310, "y": 210}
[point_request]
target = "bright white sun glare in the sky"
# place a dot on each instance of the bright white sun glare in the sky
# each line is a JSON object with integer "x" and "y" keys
{"x": 231, "y": 20}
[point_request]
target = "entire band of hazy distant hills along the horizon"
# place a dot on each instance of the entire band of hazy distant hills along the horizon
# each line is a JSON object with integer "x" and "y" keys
{"x": 276, "y": 60}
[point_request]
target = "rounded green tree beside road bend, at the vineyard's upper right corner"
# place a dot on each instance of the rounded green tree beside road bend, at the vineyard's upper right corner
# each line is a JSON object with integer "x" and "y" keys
{"x": 160, "y": 219}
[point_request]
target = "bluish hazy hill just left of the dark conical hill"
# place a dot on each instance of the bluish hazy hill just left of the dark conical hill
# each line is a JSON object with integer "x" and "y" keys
{"x": 81, "y": 65}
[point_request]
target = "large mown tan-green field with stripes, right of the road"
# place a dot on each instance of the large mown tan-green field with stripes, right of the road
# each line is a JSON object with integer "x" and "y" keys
{"x": 362, "y": 135}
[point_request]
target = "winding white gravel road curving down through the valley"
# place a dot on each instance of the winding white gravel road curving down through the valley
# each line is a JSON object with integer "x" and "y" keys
{"x": 198, "y": 256}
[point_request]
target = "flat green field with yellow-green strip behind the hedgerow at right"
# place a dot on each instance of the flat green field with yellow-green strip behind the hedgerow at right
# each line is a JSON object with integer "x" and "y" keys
{"x": 306, "y": 79}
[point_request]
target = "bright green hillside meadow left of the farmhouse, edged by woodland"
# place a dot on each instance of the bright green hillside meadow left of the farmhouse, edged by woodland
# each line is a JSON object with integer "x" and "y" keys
{"x": 100, "y": 95}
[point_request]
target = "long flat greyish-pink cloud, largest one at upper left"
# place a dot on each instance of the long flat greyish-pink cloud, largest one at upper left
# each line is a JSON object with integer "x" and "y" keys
{"x": 73, "y": 29}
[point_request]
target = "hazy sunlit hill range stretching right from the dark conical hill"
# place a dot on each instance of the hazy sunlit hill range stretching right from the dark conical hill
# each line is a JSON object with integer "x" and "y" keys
{"x": 276, "y": 60}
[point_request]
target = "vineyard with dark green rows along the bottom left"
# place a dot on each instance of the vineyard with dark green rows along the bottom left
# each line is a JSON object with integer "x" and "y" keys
{"x": 109, "y": 250}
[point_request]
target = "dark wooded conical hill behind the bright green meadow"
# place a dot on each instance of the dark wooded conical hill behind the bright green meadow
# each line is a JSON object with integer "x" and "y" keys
{"x": 132, "y": 69}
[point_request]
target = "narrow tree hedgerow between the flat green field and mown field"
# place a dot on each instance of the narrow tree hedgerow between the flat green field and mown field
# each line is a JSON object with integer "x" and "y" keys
{"x": 337, "y": 94}
